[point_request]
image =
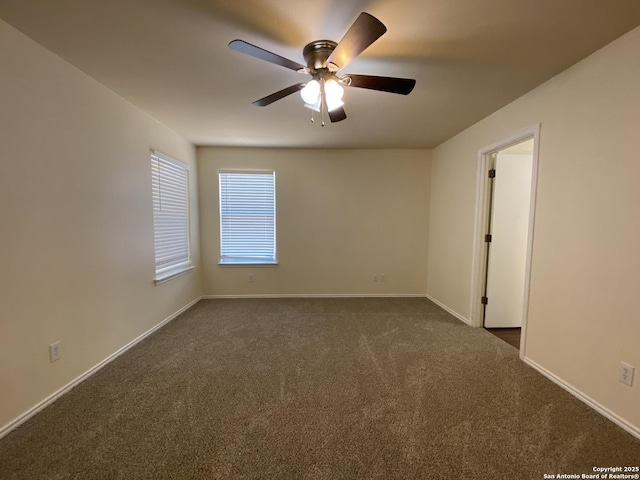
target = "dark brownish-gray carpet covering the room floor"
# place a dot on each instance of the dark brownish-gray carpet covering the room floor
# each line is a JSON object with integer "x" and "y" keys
{"x": 316, "y": 389}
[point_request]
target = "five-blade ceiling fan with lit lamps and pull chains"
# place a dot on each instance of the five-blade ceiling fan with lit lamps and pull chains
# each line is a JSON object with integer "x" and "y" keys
{"x": 325, "y": 58}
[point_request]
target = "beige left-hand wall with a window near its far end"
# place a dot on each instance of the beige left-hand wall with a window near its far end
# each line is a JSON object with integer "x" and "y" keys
{"x": 77, "y": 227}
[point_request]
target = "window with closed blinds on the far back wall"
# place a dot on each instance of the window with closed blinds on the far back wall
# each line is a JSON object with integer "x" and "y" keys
{"x": 247, "y": 217}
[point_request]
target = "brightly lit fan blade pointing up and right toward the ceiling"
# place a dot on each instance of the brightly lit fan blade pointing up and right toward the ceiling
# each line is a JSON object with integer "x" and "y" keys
{"x": 364, "y": 31}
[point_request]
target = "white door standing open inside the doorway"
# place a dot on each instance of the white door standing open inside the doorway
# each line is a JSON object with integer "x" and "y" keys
{"x": 509, "y": 230}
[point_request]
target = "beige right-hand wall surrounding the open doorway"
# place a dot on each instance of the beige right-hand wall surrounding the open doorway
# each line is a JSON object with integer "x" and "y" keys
{"x": 583, "y": 313}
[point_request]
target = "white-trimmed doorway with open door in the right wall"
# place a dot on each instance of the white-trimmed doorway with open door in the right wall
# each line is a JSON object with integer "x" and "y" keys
{"x": 507, "y": 177}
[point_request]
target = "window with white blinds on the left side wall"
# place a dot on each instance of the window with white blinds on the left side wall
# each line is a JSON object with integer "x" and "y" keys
{"x": 170, "y": 180}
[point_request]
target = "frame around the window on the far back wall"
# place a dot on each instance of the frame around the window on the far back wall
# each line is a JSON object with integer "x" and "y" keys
{"x": 247, "y": 260}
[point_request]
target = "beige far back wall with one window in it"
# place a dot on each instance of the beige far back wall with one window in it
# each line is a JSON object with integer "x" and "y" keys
{"x": 342, "y": 217}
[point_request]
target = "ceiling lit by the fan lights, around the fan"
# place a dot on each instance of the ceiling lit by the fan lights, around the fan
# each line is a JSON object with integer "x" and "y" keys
{"x": 469, "y": 57}
